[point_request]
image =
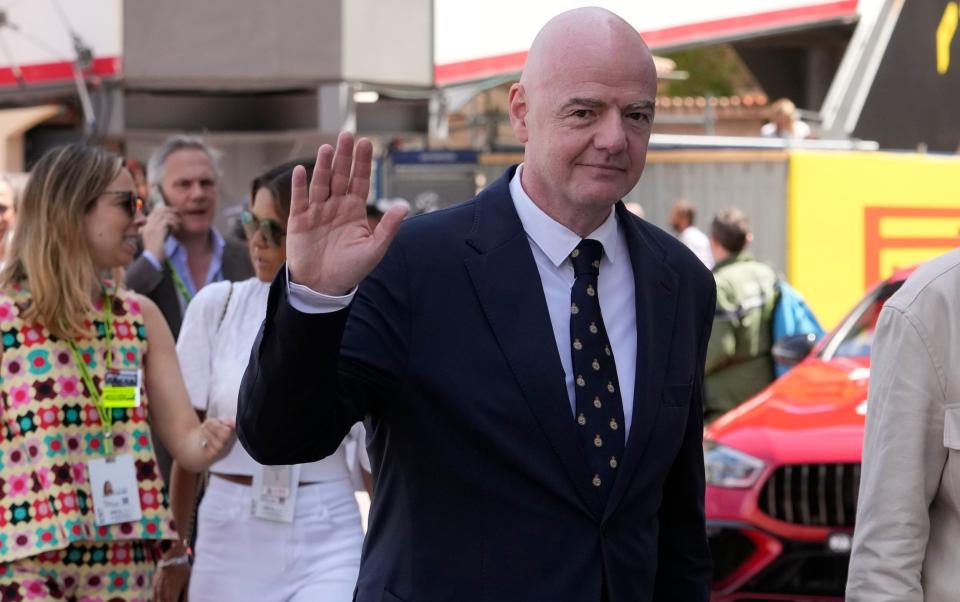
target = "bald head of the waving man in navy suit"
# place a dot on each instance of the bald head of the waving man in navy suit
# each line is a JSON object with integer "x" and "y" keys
{"x": 584, "y": 111}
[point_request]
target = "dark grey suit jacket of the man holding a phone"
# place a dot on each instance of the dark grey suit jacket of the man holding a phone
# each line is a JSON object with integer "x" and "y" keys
{"x": 143, "y": 278}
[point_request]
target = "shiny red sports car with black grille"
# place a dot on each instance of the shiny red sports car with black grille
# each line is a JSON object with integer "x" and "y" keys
{"x": 783, "y": 469}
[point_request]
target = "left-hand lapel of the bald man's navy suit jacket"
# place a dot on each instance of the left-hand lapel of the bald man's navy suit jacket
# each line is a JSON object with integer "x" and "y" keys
{"x": 508, "y": 285}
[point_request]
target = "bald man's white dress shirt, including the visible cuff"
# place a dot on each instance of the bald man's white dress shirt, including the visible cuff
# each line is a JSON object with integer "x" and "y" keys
{"x": 551, "y": 244}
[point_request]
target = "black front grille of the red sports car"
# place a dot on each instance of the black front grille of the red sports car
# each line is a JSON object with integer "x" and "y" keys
{"x": 822, "y": 495}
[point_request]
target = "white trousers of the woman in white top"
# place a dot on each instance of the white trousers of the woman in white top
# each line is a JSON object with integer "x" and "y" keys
{"x": 238, "y": 557}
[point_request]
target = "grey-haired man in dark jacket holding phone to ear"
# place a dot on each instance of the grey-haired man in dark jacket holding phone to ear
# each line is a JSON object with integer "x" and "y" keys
{"x": 182, "y": 250}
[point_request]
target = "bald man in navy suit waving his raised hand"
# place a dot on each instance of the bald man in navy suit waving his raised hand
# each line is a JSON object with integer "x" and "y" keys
{"x": 529, "y": 363}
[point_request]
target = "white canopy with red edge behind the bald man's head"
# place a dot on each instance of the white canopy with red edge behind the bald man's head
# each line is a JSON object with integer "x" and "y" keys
{"x": 477, "y": 44}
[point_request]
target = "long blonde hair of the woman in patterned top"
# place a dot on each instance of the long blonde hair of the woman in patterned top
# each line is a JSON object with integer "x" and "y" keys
{"x": 49, "y": 252}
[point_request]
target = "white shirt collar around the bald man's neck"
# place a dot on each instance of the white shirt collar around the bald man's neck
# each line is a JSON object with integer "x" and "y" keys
{"x": 554, "y": 239}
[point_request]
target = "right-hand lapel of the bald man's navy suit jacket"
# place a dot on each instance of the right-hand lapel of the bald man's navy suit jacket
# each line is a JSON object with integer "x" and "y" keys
{"x": 656, "y": 302}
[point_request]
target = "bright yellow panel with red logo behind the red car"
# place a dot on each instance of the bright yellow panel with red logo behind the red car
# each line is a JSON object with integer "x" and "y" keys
{"x": 829, "y": 193}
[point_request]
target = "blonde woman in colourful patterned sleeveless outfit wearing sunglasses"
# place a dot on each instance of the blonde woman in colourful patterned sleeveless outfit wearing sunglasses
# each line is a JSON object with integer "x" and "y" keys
{"x": 85, "y": 365}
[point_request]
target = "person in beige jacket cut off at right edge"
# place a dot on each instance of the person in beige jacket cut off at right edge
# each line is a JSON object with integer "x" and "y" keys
{"x": 906, "y": 544}
